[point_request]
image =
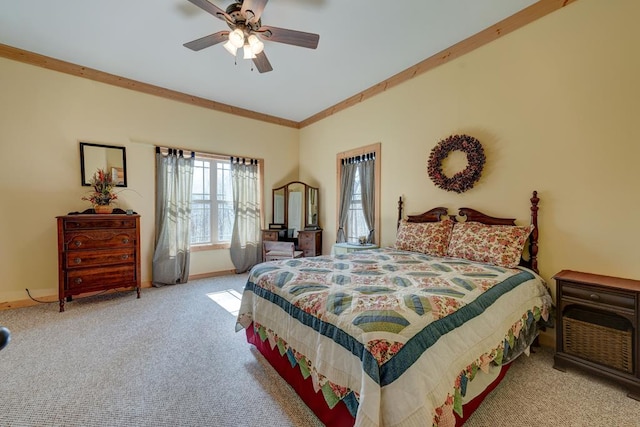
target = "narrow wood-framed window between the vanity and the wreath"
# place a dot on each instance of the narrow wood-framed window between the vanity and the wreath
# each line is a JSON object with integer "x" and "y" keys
{"x": 355, "y": 225}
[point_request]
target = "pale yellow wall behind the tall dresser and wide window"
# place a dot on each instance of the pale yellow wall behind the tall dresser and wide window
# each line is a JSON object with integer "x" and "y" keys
{"x": 43, "y": 116}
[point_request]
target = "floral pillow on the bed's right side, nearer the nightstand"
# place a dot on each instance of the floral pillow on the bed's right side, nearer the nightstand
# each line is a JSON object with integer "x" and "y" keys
{"x": 500, "y": 245}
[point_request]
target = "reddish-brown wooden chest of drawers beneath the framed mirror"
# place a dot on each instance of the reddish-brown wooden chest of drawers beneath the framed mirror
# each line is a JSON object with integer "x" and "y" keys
{"x": 96, "y": 253}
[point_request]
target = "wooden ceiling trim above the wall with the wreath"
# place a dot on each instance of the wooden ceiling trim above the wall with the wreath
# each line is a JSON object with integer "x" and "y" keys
{"x": 507, "y": 25}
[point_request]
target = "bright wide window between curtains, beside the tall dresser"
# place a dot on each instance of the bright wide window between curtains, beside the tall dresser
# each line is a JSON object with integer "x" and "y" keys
{"x": 212, "y": 201}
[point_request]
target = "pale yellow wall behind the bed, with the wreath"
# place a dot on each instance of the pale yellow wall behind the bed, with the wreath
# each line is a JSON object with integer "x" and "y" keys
{"x": 555, "y": 105}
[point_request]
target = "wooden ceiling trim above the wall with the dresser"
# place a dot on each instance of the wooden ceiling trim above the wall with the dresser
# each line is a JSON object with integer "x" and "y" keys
{"x": 27, "y": 57}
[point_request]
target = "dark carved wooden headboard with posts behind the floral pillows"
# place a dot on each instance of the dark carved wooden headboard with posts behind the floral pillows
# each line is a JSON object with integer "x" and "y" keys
{"x": 437, "y": 214}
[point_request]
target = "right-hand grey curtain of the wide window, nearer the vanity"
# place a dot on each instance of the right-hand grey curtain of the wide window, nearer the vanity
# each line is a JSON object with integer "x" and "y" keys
{"x": 245, "y": 239}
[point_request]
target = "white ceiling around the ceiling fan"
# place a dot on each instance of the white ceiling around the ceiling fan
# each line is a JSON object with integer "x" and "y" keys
{"x": 362, "y": 42}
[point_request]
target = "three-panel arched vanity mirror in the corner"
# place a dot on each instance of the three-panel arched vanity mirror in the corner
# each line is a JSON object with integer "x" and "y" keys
{"x": 295, "y": 207}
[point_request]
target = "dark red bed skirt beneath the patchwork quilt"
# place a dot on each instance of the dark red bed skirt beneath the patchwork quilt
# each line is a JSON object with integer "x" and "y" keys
{"x": 339, "y": 415}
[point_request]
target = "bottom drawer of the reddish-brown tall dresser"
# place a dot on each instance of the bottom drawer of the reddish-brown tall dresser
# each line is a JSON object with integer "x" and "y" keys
{"x": 87, "y": 279}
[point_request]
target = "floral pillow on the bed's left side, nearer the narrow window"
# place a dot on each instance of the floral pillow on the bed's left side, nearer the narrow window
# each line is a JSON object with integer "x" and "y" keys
{"x": 431, "y": 238}
